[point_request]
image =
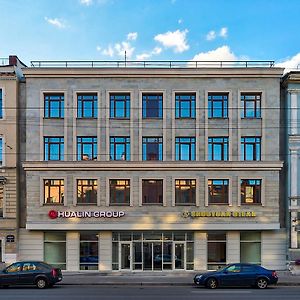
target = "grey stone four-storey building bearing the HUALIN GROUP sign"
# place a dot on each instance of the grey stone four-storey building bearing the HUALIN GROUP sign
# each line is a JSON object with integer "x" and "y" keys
{"x": 152, "y": 168}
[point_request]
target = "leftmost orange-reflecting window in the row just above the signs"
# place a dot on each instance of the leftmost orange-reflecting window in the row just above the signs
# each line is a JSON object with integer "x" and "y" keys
{"x": 53, "y": 191}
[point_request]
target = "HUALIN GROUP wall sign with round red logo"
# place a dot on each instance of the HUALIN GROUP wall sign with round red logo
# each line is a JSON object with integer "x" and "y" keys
{"x": 53, "y": 214}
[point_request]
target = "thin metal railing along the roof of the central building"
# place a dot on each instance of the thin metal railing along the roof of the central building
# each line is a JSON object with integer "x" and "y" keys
{"x": 151, "y": 64}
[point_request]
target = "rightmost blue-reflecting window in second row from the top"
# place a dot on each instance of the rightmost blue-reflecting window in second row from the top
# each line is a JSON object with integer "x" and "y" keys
{"x": 250, "y": 148}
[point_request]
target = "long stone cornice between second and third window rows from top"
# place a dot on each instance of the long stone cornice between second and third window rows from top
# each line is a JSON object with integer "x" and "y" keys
{"x": 158, "y": 166}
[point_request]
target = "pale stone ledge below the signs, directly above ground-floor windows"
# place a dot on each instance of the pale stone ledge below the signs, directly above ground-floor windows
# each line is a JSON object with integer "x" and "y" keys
{"x": 125, "y": 226}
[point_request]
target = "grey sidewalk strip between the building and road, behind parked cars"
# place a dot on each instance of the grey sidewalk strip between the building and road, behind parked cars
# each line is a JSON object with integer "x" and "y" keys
{"x": 151, "y": 278}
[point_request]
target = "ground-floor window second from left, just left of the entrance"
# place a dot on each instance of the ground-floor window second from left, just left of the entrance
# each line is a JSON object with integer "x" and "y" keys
{"x": 89, "y": 251}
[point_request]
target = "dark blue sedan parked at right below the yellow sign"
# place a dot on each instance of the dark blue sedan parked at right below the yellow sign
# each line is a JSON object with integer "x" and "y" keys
{"x": 238, "y": 275}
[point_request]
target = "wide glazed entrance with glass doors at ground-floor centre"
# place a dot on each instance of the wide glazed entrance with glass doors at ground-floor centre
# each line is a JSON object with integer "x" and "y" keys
{"x": 153, "y": 251}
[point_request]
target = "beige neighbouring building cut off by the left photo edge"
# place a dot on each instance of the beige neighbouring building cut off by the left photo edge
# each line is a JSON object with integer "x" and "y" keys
{"x": 9, "y": 89}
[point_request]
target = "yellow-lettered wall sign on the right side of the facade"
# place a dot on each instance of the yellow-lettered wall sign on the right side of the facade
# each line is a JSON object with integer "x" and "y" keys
{"x": 219, "y": 214}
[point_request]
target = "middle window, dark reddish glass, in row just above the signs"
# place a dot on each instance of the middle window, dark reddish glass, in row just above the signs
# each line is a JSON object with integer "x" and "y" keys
{"x": 152, "y": 191}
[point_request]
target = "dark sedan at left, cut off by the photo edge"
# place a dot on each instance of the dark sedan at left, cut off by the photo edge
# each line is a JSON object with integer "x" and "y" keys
{"x": 37, "y": 273}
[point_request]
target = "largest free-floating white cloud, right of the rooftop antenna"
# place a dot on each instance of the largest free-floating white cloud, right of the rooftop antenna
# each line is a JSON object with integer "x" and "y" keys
{"x": 175, "y": 39}
